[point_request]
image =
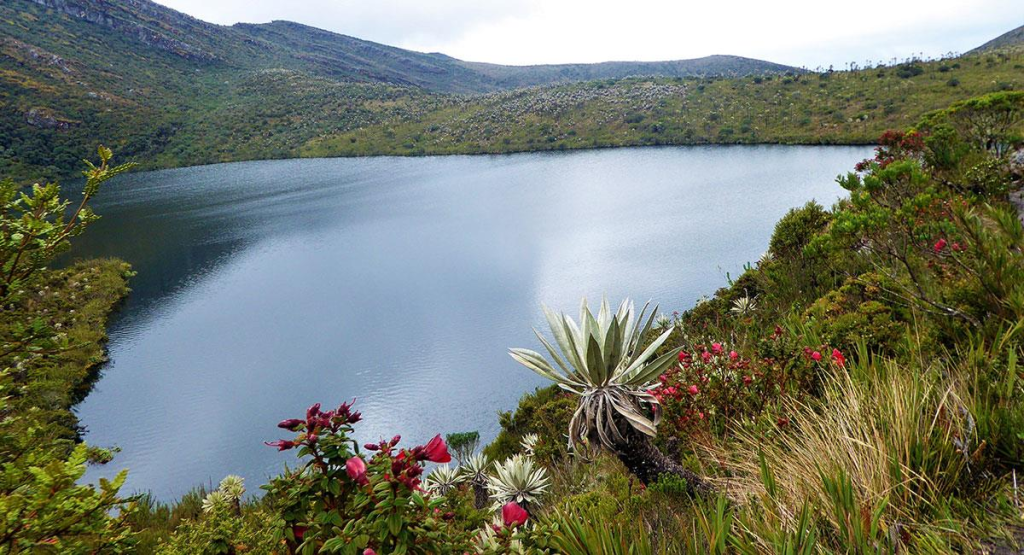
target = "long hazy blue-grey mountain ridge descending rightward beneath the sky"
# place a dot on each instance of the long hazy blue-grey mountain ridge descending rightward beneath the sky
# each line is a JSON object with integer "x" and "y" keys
{"x": 344, "y": 57}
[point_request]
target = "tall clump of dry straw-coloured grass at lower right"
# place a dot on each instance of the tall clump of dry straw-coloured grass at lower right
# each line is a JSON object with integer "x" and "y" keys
{"x": 877, "y": 458}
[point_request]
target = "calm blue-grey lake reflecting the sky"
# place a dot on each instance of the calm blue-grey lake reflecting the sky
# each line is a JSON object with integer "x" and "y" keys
{"x": 266, "y": 287}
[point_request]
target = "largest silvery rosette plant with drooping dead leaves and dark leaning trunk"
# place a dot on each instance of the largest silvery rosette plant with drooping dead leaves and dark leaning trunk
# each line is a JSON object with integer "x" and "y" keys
{"x": 605, "y": 361}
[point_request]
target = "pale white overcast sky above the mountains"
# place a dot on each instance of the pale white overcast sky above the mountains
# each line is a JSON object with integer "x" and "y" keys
{"x": 807, "y": 33}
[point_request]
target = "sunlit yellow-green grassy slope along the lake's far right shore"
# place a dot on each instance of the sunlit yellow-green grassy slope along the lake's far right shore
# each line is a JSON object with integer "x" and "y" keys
{"x": 841, "y": 108}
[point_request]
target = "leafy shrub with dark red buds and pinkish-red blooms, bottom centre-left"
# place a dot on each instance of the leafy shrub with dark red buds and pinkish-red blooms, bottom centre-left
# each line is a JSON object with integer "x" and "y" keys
{"x": 343, "y": 501}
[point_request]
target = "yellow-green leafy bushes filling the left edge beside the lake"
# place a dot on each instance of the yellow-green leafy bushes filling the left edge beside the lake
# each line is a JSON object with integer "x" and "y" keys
{"x": 52, "y": 334}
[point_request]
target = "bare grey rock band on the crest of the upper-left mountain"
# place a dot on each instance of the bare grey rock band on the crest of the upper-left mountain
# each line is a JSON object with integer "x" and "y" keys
{"x": 103, "y": 13}
